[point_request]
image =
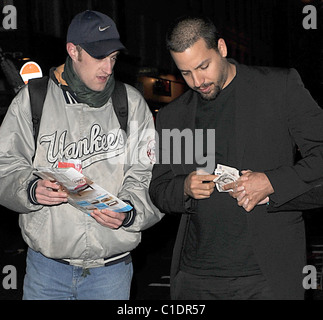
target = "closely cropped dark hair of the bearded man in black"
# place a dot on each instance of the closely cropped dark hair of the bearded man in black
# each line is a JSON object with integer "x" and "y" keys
{"x": 185, "y": 31}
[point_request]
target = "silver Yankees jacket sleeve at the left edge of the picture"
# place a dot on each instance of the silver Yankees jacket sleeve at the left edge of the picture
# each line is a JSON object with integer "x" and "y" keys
{"x": 16, "y": 153}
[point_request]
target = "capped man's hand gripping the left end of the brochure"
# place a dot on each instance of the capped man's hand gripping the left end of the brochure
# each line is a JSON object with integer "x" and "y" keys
{"x": 49, "y": 193}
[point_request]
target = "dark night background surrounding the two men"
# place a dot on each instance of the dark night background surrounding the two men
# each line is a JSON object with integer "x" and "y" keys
{"x": 257, "y": 32}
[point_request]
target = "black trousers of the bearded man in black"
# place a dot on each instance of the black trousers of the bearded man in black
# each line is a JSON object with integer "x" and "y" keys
{"x": 194, "y": 287}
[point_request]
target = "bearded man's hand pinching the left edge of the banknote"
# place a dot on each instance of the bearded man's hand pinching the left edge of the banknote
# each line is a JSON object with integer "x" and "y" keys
{"x": 199, "y": 186}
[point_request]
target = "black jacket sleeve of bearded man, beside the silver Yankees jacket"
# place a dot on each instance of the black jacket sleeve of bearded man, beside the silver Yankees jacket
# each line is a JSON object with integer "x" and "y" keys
{"x": 167, "y": 189}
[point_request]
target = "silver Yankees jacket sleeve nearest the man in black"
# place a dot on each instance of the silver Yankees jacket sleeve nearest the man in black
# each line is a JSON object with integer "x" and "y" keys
{"x": 137, "y": 171}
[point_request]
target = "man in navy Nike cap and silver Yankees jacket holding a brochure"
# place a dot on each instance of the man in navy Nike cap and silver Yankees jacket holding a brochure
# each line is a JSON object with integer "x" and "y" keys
{"x": 72, "y": 255}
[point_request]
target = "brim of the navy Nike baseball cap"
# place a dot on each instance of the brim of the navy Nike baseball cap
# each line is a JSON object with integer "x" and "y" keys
{"x": 101, "y": 49}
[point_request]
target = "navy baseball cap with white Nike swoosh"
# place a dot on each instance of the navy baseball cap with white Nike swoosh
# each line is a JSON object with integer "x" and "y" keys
{"x": 96, "y": 33}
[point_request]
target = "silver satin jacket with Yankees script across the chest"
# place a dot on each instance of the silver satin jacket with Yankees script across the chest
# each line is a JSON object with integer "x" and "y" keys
{"x": 74, "y": 130}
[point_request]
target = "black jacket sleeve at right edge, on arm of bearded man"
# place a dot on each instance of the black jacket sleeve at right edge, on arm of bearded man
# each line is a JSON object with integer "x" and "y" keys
{"x": 304, "y": 119}
